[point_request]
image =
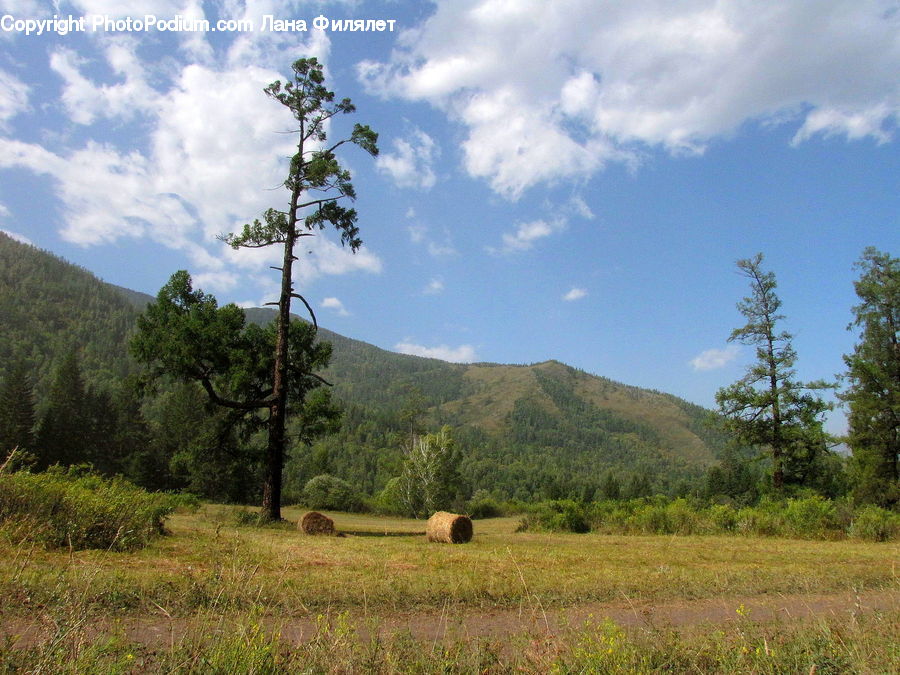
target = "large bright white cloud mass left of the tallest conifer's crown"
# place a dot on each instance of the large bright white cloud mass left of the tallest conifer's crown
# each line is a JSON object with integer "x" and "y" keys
{"x": 189, "y": 180}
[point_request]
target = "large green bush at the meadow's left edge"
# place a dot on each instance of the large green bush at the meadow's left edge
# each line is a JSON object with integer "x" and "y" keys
{"x": 68, "y": 508}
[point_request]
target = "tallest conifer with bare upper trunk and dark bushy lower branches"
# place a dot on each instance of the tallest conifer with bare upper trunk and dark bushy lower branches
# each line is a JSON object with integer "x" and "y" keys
{"x": 210, "y": 344}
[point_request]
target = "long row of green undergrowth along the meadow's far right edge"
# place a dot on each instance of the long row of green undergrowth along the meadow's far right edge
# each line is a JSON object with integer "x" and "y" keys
{"x": 803, "y": 518}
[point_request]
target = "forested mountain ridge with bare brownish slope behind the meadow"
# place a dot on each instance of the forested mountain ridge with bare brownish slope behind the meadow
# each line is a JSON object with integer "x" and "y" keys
{"x": 544, "y": 429}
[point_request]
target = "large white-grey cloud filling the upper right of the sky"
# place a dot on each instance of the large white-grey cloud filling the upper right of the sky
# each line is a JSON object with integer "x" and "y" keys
{"x": 553, "y": 90}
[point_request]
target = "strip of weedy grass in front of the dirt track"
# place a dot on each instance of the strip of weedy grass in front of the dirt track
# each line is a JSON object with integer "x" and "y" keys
{"x": 866, "y": 644}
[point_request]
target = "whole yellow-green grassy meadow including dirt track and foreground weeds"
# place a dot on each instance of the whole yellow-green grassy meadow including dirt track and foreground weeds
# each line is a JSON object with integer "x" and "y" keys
{"x": 213, "y": 596}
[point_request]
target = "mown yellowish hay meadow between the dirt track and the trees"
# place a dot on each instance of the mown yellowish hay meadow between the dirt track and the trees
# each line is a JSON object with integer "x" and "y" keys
{"x": 208, "y": 563}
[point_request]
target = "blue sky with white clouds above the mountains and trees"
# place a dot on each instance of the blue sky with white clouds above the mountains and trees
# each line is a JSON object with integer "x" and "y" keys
{"x": 565, "y": 179}
